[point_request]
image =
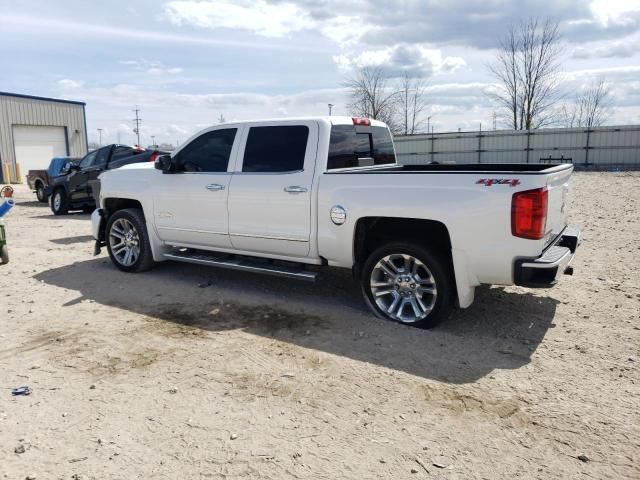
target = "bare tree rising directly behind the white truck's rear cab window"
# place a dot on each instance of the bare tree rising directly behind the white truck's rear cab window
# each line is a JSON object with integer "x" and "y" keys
{"x": 372, "y": 96}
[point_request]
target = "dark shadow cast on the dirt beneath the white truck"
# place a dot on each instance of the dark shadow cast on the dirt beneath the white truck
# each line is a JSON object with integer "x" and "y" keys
{"x": 500, "y": 331}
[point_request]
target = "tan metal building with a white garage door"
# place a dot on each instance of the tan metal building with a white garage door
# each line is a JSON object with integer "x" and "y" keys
{"x": 35, "y": 129}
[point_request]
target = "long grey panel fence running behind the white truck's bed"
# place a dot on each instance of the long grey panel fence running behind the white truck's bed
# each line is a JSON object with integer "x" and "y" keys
{"x": 589, "y": 148}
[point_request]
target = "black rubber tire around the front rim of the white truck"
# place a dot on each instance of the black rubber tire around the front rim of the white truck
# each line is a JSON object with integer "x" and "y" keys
{"x": 135, "y": 217}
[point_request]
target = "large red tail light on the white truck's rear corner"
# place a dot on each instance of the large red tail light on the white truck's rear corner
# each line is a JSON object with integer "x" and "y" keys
{"x": 529, "y": 214}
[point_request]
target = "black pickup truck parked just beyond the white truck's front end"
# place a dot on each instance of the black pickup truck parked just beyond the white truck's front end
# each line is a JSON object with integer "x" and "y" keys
{"x": 73, "y": 191}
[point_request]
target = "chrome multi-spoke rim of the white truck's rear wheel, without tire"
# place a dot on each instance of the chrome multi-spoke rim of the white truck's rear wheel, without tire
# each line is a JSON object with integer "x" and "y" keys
{"x": 403, "y": 288}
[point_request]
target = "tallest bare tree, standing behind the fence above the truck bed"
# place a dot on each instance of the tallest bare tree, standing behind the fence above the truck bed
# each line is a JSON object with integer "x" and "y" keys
{"x": 528, "y": 73}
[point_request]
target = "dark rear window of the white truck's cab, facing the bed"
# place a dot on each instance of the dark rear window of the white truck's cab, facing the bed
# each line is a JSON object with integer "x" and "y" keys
{"x": 354, "y": 146}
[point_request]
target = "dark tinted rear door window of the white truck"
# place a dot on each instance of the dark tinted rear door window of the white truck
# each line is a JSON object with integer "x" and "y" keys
{"x": 276, "y": 149}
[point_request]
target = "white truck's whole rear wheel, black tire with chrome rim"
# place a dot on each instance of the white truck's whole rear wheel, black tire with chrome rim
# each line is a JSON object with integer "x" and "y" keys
{"x": 432, "y": 268}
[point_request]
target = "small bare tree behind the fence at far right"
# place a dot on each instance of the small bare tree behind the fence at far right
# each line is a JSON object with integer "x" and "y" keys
{"x": 591, "y": 107}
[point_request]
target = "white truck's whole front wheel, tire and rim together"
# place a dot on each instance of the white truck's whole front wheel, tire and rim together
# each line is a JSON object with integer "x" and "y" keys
{"x": 128, "y": 241}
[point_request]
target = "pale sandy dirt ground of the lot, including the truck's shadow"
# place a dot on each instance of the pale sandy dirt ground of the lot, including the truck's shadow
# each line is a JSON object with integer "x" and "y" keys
{"x": 196, "y": 373}
